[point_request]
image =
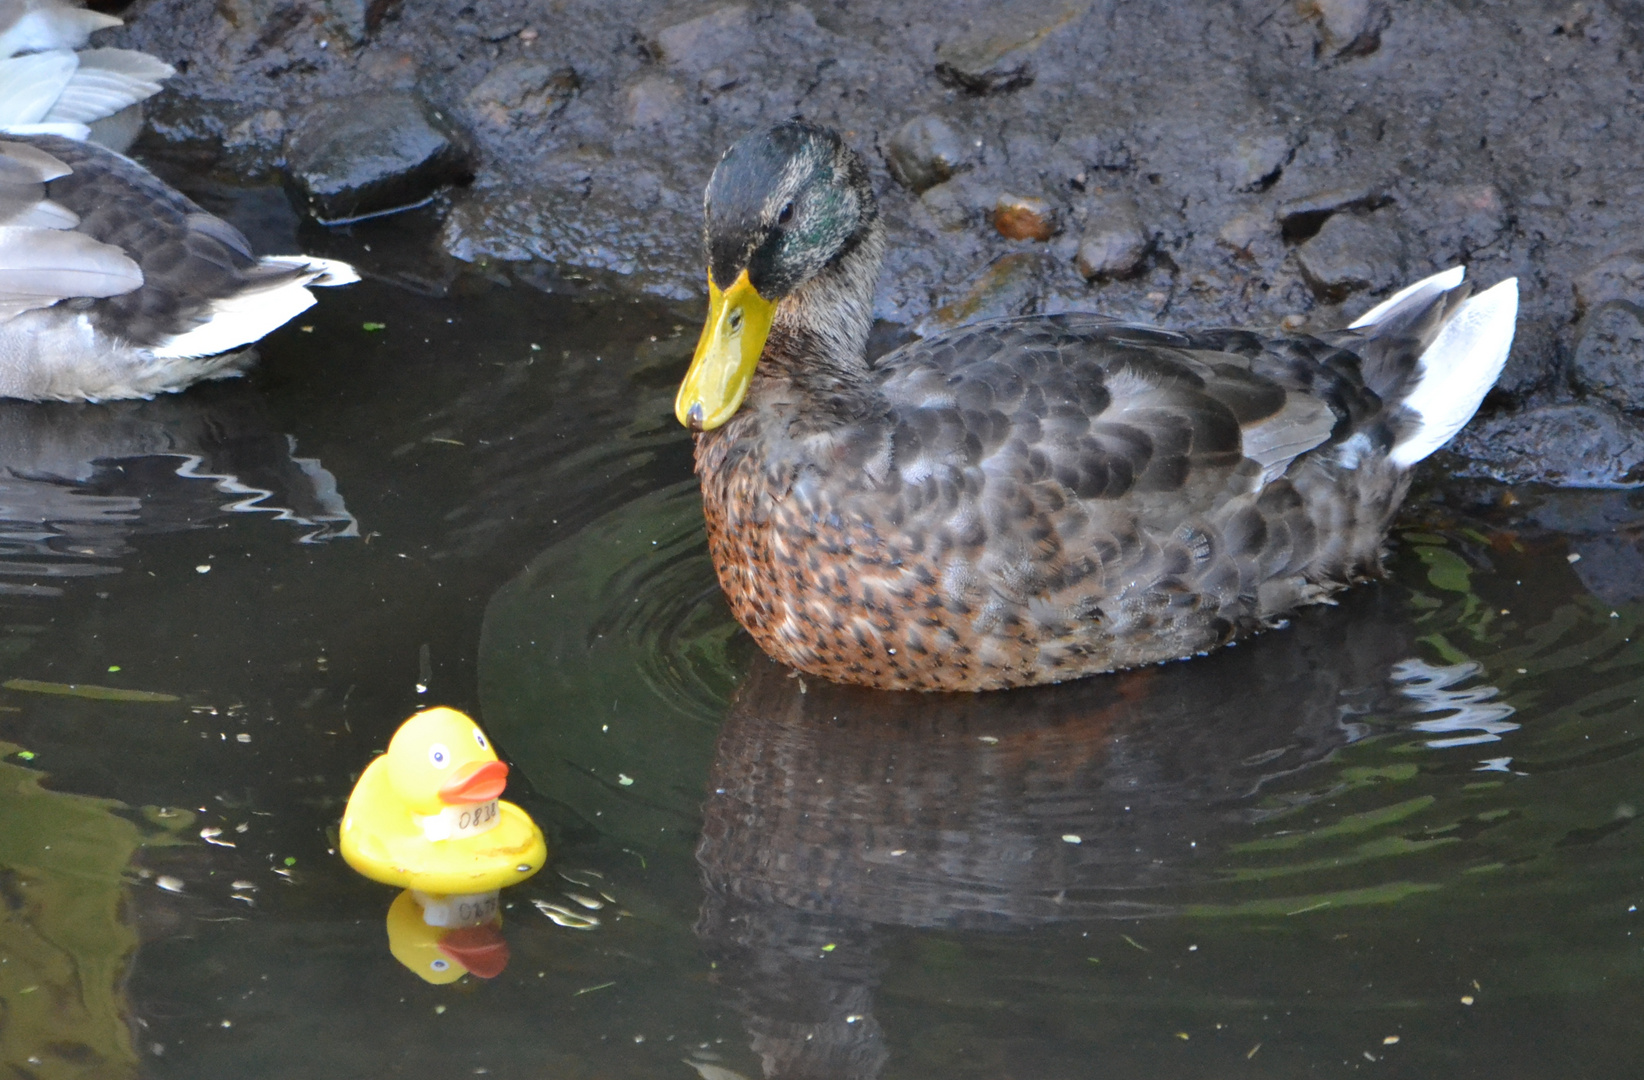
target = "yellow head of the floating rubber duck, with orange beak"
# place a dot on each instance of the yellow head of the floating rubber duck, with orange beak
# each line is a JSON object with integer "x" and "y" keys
{"x": 441, "y": 759}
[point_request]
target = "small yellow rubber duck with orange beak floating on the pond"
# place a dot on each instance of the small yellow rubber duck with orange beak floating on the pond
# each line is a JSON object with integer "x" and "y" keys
{"x": 427, "y": 815}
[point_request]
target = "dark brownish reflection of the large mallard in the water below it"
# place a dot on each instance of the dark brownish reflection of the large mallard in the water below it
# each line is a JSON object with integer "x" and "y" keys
{"x": 838, "y": 815}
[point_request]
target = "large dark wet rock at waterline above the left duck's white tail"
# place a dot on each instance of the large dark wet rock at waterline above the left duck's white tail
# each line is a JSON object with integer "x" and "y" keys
{"x": 372, "y": 154}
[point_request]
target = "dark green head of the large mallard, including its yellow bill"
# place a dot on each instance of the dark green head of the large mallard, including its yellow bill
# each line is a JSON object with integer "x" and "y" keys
{"x": 783, "y": 206}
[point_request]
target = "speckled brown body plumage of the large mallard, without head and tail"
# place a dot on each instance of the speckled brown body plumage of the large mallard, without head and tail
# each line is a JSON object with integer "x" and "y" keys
{"x": 1033, "y": 501}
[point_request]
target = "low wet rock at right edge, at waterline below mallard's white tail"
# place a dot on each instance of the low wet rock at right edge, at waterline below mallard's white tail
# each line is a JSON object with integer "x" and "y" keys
{"x": 1584, "y": 446}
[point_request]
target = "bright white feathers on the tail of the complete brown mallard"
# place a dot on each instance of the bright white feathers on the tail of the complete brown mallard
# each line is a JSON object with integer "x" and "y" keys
{"x": 1459, "y": 369}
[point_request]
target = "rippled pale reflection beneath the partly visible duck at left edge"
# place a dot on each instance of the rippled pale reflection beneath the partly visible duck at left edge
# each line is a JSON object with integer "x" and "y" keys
{"x": 78, "y": 481}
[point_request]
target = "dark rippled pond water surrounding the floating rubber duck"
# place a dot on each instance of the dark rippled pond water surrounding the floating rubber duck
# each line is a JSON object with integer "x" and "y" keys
{"x": 1397, "y": 838}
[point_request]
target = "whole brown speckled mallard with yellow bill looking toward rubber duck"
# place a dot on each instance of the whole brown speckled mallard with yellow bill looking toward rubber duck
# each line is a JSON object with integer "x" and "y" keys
{"x": 1037, "y": 499}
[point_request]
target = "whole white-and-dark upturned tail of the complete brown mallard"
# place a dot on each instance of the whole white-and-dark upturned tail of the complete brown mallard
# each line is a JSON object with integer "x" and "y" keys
{"x": 1436, "y": 351}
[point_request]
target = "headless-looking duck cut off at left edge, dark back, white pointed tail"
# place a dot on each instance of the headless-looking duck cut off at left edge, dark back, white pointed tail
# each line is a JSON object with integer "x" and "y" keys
{"x": 113, "y": 285}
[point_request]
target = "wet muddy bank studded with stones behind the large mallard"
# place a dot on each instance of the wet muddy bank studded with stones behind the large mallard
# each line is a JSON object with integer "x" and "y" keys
{"x": 1255, "y": 164}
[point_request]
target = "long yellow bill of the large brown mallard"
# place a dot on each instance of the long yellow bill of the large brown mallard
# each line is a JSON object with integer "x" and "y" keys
{"x": 729, "y": 351}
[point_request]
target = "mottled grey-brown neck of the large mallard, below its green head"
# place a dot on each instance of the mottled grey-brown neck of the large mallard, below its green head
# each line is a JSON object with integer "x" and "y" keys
{"x": 818, "y": 351}
